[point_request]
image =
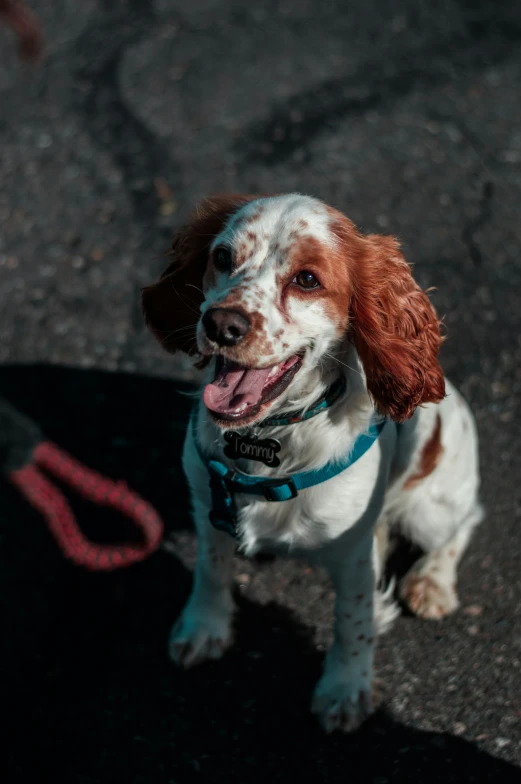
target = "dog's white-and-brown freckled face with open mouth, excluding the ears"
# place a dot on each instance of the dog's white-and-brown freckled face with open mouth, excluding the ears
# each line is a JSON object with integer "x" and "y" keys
{"x": 273, "y": 303}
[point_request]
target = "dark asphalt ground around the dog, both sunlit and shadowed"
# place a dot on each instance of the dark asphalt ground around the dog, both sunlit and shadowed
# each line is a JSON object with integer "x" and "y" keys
{"x": 406, "y": 116}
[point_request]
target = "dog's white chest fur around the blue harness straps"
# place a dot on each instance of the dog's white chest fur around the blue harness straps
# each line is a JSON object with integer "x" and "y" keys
{"x": 319, "y": 515}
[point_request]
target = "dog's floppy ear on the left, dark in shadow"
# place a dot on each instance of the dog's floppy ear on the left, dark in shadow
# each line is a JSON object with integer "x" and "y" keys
{"x": 171, "y": 306}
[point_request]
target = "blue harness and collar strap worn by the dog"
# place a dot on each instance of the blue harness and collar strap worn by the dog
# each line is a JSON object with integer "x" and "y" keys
{"x": 225, "y": 482}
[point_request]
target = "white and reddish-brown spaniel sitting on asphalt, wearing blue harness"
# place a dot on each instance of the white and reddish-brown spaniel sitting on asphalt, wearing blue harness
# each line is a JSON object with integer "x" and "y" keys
{"x": 324, "y": 422}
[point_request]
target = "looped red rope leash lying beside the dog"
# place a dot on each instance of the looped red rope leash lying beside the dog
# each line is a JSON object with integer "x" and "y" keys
{"x": 53, "y": 505}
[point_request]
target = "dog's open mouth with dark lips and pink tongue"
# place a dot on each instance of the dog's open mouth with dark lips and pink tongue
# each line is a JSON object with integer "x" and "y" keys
{"x": 238, "y": 394}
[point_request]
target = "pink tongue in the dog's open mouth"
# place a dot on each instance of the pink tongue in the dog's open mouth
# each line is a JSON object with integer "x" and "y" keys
{"x": 234, "y": 386}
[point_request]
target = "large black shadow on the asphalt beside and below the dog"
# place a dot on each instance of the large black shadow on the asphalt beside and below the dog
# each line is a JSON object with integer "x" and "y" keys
{"x": 88, "y": 694}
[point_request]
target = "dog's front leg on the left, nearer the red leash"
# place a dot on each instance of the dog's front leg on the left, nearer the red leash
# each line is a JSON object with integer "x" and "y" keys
{"x": 204, "y": 628}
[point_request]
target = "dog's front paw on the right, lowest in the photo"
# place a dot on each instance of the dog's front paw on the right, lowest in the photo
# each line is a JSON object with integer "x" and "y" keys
{"x": 343, "y": 704}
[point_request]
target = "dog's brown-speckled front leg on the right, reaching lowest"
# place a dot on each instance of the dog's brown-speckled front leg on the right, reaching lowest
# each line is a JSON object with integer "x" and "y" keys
{"x": 343, "y": 696}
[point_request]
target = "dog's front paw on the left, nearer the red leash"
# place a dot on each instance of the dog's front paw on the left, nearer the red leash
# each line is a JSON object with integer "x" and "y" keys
{"x": 200, "y": 634}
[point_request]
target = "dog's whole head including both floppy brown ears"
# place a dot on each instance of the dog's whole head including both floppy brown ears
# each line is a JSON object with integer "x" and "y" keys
{"x": 272, "y": 286}
